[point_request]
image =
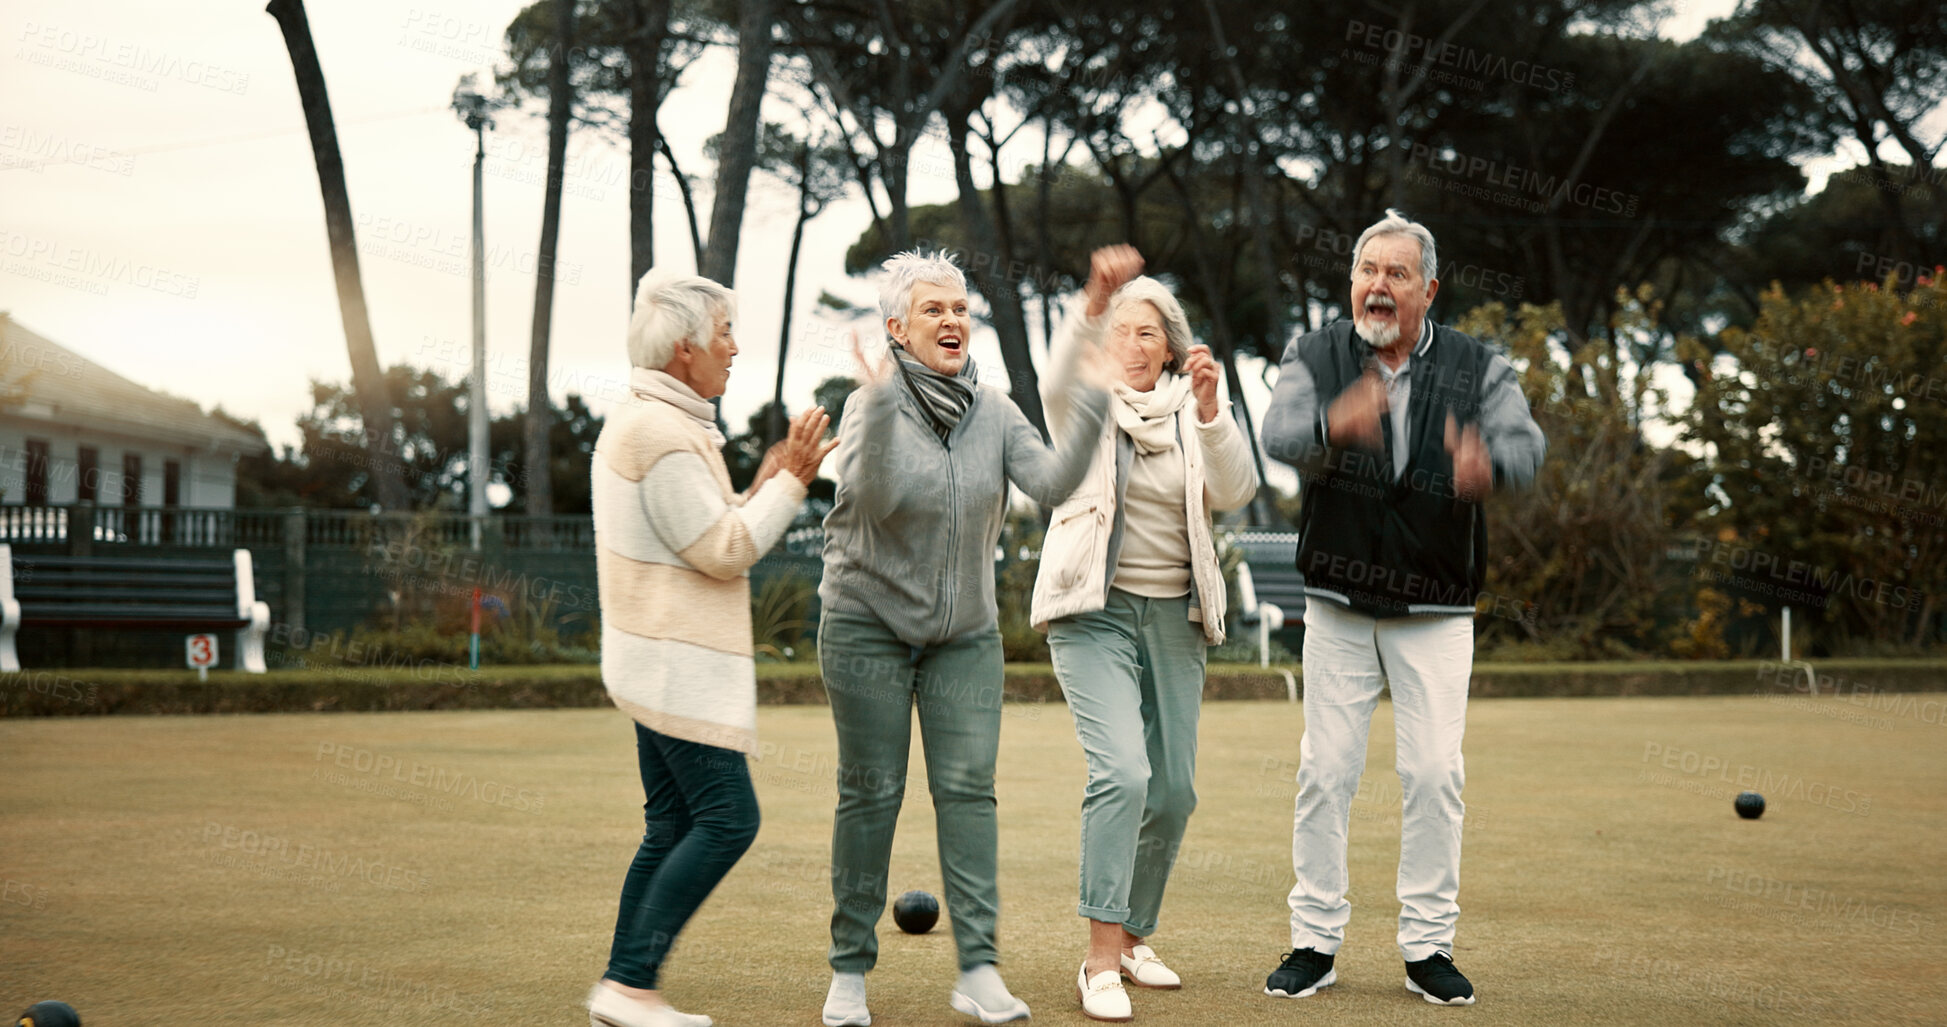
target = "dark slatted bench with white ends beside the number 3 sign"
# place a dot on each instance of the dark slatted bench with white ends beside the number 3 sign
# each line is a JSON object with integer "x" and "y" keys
{"x": 129, "y": 591}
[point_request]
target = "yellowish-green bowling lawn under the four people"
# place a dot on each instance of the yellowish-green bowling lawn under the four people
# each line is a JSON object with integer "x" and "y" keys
{"x": 462, "y": 868}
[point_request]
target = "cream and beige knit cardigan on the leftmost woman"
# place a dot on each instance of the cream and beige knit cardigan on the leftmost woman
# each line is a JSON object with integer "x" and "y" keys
{"x": 675, "y": 551}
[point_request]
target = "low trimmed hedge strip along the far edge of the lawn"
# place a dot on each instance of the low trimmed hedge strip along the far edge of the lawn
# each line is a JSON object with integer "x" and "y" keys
{"x": 102, "y": 693}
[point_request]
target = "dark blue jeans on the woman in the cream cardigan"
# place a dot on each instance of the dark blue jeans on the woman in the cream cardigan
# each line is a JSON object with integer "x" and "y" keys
{"x": 700, "y": 818}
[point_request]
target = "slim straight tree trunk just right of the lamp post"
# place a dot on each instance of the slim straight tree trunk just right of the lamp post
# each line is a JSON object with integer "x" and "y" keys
{"x": 540, "y": 410}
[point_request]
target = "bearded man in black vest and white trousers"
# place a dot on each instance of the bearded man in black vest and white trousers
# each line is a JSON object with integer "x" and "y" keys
{"x": 1399, "y": 430}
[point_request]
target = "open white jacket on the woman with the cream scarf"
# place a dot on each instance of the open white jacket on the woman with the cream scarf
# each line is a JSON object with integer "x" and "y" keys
{"x": 1218, "y": 476}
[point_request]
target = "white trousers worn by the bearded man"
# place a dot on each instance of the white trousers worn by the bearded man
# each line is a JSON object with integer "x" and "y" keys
{"x": 1426, "y": 662}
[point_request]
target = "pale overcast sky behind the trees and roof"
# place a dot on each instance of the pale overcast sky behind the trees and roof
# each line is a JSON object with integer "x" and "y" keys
{"x": 161, "y": 208}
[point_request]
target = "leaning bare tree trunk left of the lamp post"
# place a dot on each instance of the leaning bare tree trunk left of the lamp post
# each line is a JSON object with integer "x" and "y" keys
{"x": 375, "y": 402}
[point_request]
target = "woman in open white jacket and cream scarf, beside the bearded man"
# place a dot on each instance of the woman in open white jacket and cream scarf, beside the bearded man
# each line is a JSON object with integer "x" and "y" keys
{"x": 1130, "y": 593}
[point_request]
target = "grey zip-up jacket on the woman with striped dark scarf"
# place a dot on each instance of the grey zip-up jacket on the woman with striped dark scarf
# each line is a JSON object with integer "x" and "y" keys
{"x": 912, "y": 533}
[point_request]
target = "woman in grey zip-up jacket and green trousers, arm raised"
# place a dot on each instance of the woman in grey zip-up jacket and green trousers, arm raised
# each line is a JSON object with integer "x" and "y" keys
{"x": 924, "y": 465}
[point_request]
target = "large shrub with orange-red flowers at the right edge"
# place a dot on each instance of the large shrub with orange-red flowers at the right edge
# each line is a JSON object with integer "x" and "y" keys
{"x": 1821, "y": 426}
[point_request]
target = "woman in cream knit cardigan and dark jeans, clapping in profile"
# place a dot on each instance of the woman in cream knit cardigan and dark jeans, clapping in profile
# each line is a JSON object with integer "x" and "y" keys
{"x": 673, "y": 558}
